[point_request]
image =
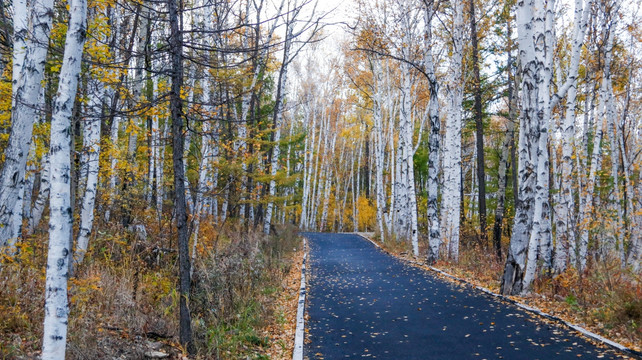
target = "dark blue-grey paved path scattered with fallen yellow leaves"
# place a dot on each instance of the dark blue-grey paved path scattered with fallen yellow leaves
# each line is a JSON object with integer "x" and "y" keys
{"x": 364, "y": 303}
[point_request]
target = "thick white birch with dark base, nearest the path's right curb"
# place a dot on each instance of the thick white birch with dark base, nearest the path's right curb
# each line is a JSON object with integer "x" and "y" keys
{"x": 532, "y": 231}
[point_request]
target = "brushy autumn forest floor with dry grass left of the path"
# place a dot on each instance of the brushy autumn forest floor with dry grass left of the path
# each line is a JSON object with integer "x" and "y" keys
{"x": 123, "y": 299}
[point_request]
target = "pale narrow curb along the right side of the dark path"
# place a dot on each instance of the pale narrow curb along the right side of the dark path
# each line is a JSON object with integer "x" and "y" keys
{"x": 583, "y": 331}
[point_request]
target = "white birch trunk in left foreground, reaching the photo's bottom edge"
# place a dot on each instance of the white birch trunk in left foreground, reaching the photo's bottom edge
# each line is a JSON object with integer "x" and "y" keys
{"x": 60, "y": 221}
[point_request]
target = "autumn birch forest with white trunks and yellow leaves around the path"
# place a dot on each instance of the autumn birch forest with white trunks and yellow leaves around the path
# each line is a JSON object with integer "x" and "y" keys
{"x": 160, "y": 156}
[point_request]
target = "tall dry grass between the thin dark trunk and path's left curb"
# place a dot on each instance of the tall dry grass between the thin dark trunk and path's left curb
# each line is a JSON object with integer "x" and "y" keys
{"x": 237, "y": 291}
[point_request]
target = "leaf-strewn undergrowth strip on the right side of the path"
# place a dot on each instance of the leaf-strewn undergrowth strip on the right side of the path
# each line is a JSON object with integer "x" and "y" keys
{"x": 605, "y": 299}
